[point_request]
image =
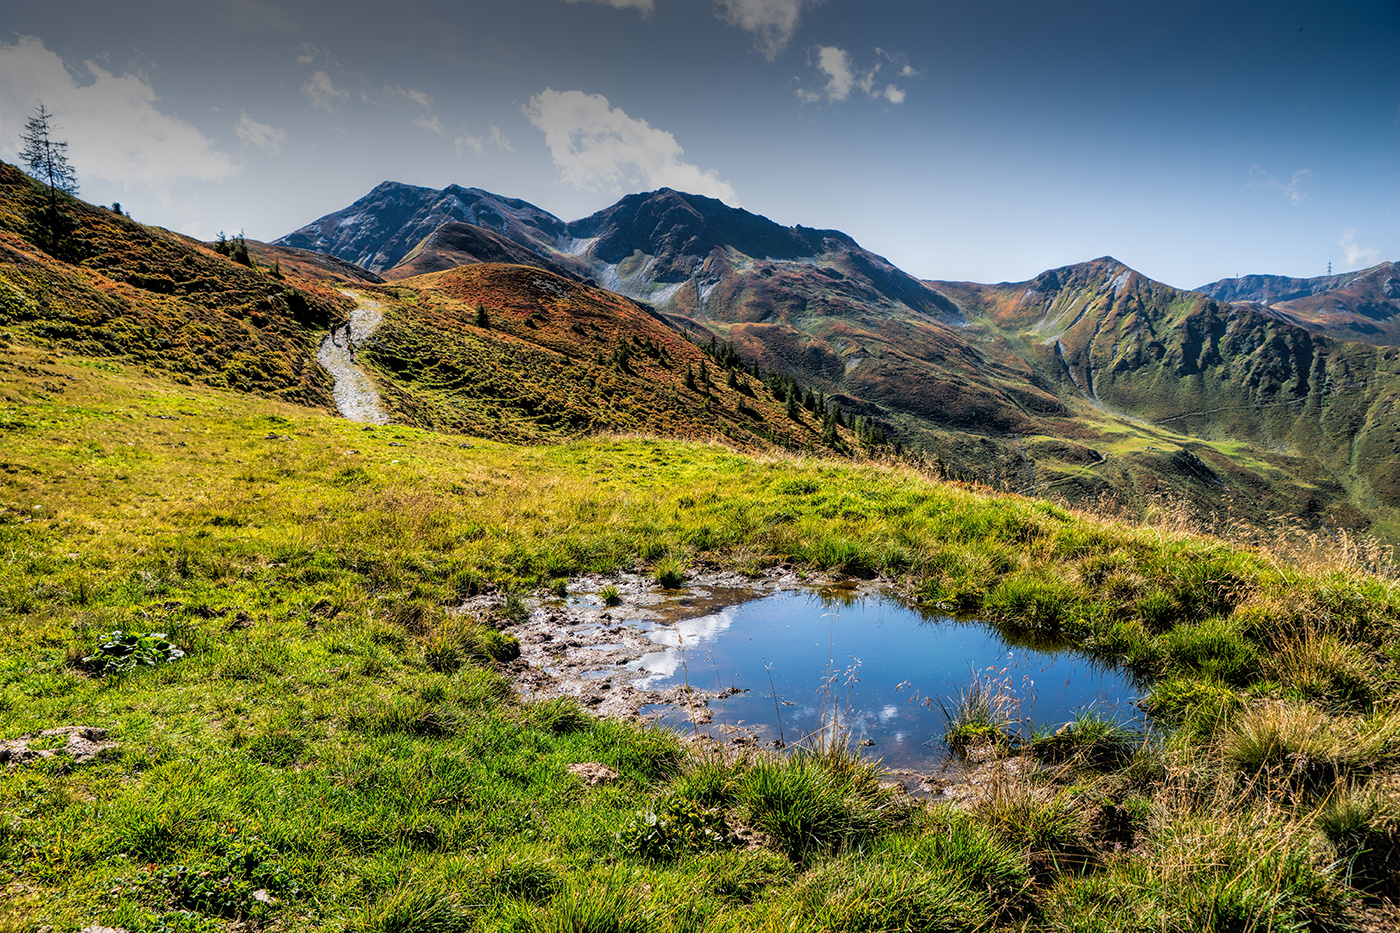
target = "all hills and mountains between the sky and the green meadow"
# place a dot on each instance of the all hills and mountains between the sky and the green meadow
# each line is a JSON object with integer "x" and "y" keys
{"x": 678, "y": 316}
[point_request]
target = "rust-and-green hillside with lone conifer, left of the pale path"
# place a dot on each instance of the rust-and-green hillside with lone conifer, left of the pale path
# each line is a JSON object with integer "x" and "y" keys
{"x": 166, "y": 302}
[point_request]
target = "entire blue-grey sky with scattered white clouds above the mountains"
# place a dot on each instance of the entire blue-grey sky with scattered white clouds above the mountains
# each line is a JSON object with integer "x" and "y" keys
{"x": 981, "y": 141}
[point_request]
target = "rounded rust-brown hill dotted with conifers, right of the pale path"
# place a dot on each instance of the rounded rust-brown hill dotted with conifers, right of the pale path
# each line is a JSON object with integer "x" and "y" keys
{"x": 521, "y": 354}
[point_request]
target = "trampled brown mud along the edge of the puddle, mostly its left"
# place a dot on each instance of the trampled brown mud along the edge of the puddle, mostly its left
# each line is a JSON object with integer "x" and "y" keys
{"x": 580, "y": 648}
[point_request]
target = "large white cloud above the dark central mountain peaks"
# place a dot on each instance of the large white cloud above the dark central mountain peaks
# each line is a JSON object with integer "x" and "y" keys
{"x": 598, "y": 146}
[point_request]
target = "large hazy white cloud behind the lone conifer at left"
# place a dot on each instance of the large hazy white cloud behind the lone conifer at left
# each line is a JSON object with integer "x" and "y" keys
{"x": 114, "y": 124}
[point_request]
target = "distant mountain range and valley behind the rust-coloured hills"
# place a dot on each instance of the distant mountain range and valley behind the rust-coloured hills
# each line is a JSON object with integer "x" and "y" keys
{"x": 1258, "y": 397}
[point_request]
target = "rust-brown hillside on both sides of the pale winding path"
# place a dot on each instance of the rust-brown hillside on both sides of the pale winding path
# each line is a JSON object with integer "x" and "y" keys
{"x": 551, "y": 359}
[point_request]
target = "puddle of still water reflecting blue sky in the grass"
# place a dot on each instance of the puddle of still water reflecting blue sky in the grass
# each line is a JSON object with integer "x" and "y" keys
{"x": 878, "y": 666}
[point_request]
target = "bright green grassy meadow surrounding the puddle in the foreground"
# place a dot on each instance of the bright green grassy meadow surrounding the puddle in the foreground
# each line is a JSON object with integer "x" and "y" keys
{"x": 337, "y": 750}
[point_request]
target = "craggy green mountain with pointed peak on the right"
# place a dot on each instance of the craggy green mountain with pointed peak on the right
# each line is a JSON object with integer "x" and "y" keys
{"x": 1217, "y": 372}
